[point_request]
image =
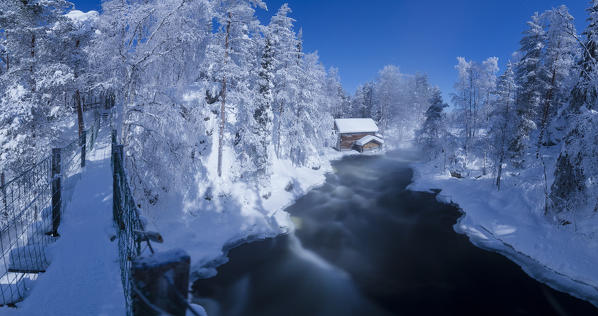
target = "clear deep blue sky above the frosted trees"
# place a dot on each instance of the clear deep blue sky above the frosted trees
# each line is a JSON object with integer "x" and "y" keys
{"x": 360, "y": 37}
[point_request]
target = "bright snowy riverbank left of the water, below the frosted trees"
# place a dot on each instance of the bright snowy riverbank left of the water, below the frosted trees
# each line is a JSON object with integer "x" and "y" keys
{"x": 227, "y": 214}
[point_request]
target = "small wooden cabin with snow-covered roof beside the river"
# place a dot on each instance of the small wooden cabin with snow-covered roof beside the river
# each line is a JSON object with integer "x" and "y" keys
{"x": 350, "y": 131}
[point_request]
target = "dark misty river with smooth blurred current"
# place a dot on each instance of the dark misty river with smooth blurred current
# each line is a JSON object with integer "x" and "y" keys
{"x": 367, "y": 246}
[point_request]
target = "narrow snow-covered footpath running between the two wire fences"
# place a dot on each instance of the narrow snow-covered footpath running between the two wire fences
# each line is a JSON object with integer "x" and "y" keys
{"x": 84, "y": 276}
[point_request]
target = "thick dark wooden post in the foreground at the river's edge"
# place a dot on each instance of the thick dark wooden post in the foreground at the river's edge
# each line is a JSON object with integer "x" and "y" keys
{"x": 160, "y": 283}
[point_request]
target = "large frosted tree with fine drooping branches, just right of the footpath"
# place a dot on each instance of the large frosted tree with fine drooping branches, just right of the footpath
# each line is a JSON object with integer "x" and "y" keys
{"x": 148, "y": 54}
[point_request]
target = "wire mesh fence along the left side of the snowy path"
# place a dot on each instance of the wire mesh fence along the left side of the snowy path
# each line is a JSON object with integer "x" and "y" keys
{"x": 30, "y": 209}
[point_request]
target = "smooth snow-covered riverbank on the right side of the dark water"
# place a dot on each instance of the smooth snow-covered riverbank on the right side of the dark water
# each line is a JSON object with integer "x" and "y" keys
{"x": 511, "y": 222}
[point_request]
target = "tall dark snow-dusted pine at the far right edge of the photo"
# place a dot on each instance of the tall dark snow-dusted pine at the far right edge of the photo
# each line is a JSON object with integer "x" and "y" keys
{"x": 576, "y": 168}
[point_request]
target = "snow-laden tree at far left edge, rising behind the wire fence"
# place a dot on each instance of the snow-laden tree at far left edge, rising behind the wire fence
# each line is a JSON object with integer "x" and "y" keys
{"x": 35, "y": 77}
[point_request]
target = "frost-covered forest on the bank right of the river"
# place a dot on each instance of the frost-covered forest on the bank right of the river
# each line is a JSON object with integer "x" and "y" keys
{"x": 539, "y": 114}
